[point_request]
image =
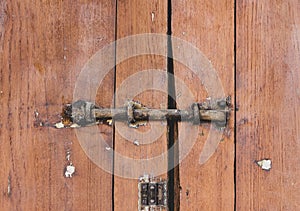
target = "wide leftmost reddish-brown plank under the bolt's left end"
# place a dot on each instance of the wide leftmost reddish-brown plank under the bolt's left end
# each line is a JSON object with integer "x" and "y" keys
{"x": 44, "y": 45}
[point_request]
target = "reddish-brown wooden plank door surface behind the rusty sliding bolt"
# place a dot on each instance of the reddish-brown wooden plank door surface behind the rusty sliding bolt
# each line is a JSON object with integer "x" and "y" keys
{"x": 255, "y": 48}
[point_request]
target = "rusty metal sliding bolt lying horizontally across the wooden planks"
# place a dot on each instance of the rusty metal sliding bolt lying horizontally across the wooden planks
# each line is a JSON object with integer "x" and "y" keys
{"x": 84, "y": 113}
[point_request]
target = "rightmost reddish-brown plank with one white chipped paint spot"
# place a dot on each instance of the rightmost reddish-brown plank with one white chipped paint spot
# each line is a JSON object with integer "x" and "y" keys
{"x": 267, "y": 91}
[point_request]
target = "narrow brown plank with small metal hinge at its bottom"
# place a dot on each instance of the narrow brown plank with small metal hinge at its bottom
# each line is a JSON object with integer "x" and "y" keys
{"x": 136, "y": 17}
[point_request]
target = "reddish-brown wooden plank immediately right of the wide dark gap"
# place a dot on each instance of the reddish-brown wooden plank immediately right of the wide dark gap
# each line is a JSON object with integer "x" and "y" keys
{"x": 209, "y": 26}
